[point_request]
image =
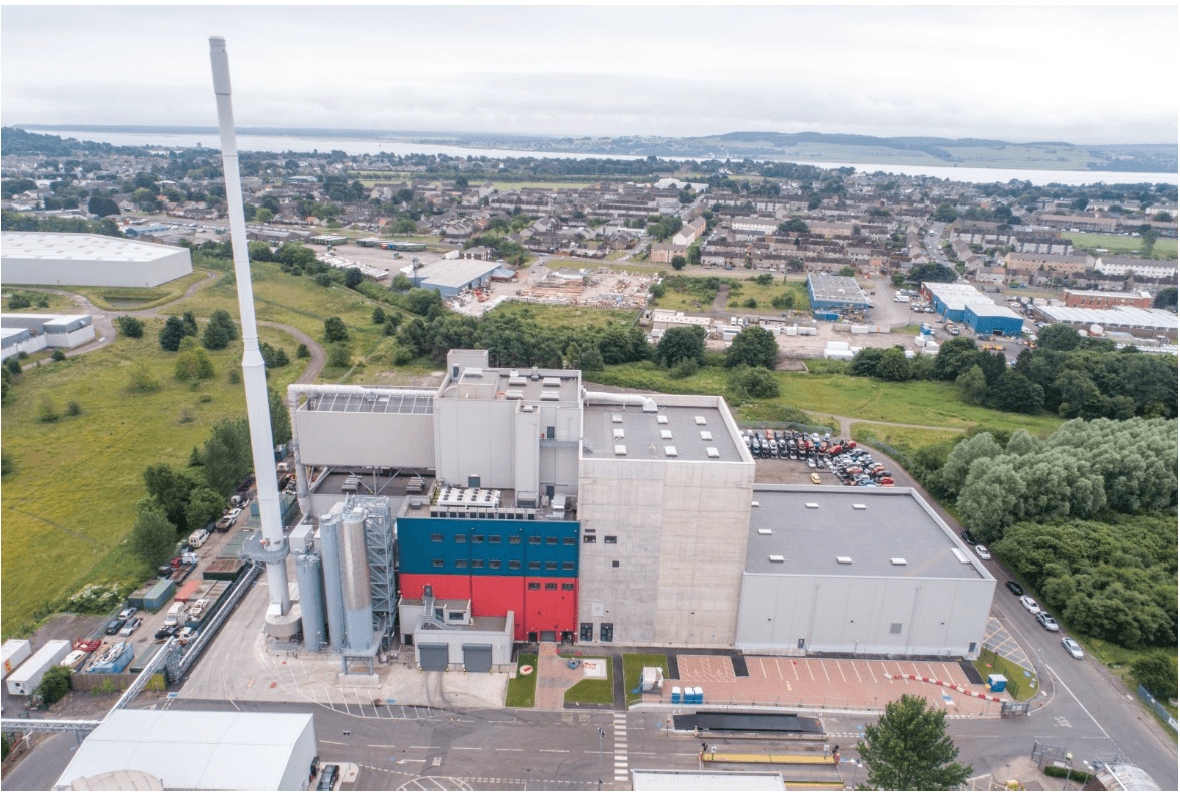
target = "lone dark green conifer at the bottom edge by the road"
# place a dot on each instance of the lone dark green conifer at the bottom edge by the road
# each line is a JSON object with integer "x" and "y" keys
{"x": 908, "y": 749}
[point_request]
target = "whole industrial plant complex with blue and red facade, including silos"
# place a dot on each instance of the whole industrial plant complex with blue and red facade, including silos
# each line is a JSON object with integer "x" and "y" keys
{"x": 525, "y": 508}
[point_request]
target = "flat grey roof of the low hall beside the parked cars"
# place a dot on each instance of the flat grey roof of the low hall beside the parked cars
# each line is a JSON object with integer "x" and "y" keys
{"x": 893, "y": 525}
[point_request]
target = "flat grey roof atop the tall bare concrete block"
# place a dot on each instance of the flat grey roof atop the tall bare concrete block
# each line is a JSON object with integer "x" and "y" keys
{"x": 644, "y": 434}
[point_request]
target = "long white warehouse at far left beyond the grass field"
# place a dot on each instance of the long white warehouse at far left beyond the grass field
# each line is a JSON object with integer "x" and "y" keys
{"x": 45, "y": 259}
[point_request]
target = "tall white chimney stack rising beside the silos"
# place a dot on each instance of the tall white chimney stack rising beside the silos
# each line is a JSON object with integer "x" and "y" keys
{"x": 254, "y": 374}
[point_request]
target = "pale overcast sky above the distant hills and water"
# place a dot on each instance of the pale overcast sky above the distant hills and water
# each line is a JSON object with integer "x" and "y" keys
{"x": 1076, "y": 74}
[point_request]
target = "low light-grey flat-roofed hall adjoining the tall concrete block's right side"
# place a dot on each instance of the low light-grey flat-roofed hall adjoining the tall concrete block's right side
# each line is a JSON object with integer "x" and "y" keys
{"x": 858, "y": 571}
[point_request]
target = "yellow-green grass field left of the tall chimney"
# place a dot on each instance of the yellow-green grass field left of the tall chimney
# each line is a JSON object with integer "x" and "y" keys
{"x": 70, "y": 502}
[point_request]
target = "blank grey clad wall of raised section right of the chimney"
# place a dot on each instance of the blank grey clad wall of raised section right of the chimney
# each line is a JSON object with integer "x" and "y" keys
{"x": 366, "y": 440}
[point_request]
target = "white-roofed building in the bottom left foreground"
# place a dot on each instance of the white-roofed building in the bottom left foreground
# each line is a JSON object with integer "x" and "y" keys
{"x": 181, "y": 750}
